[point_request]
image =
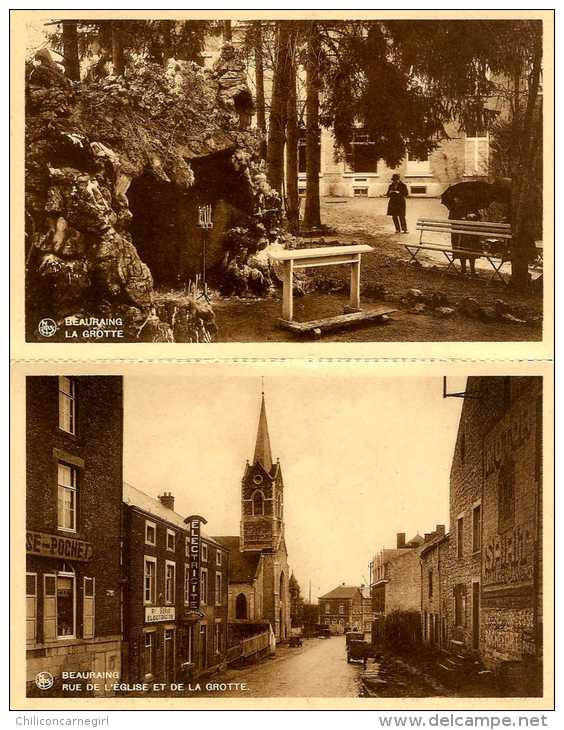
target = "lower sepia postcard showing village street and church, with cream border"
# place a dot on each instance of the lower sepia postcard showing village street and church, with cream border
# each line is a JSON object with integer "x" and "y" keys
{"x": 282, "y": 535}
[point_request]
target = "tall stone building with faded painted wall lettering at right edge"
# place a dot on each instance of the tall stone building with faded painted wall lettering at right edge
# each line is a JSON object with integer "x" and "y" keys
{"x": 494, "y": 581}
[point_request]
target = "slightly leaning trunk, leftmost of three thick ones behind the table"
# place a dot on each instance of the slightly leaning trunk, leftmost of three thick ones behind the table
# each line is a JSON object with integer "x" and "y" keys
{"x": 278, "y": 104}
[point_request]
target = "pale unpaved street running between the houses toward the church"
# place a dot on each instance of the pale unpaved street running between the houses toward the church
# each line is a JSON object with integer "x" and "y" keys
{"x": 318, "y": 669}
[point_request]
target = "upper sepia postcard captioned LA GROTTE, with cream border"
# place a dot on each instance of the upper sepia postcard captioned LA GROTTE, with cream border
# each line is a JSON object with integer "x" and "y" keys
{"x": 282, "y": 184}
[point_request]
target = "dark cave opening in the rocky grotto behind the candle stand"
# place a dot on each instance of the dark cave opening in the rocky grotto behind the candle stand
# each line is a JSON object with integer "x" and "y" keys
{"x": 164, "y": 224}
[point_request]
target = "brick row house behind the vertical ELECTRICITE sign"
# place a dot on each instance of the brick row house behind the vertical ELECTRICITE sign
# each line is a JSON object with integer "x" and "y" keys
{"x": 164, "y": 641}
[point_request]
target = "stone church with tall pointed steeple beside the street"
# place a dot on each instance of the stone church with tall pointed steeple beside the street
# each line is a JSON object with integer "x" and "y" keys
{"x": 259, "y": 581}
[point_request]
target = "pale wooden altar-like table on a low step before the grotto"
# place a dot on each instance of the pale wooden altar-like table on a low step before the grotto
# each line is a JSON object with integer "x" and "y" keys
{"x": 306, "y": 258}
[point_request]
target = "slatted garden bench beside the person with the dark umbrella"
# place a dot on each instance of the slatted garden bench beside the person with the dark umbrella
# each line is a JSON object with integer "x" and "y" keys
{"x": 496, "y": 238}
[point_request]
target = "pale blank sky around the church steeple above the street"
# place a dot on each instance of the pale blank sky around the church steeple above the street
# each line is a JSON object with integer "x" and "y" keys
{"x": 362, "y": 458}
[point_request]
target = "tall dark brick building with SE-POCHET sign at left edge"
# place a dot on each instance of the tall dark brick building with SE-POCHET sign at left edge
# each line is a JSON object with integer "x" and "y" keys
{"x": 73, "y": 526}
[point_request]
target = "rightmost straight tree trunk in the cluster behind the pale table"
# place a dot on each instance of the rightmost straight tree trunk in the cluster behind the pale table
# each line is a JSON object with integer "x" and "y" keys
{"x": 312, "y": 214}
